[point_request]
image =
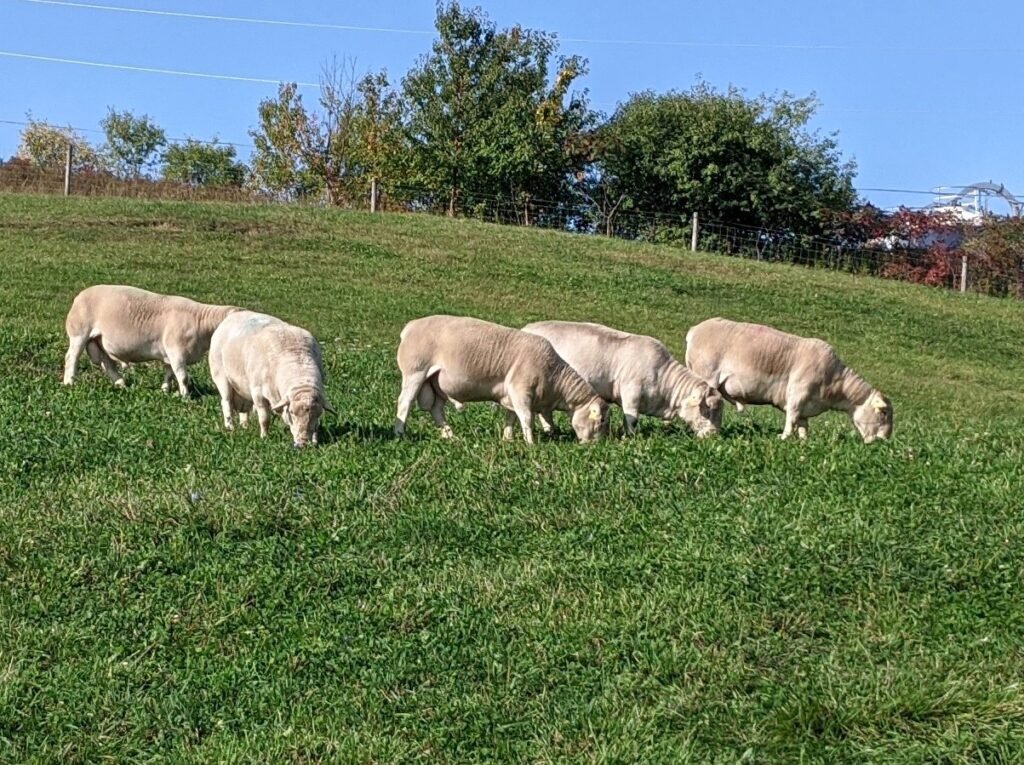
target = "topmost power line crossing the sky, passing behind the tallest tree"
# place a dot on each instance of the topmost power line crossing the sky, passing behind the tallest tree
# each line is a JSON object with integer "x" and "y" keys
{"x": 582, "y": 40}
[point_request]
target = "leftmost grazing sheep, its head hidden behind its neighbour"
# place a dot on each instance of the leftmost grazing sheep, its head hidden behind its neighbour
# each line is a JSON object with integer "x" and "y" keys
{"x": 119, "y": 325}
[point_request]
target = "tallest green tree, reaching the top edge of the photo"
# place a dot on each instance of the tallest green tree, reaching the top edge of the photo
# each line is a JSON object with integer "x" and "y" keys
{"x": 483, "y": 120}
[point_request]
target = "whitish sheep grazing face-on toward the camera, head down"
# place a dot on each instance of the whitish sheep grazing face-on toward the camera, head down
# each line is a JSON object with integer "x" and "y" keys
{"x": 260, "y": 362}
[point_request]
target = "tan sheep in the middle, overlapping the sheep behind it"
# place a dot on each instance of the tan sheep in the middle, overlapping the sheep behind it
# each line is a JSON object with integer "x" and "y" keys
{"x": 463, "y": 360}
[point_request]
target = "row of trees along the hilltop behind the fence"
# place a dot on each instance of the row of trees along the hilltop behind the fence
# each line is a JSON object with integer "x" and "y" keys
{"x": 491, "y": 123}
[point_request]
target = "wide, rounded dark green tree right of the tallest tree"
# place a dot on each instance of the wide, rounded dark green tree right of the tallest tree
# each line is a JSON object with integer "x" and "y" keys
{"x": 730, "y": 158}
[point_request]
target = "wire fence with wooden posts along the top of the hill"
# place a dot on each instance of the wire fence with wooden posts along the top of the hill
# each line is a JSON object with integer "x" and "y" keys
{"x": 970, "y": 259}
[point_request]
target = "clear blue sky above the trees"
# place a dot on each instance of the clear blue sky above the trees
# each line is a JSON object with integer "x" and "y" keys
{"x": 922, "y": 94}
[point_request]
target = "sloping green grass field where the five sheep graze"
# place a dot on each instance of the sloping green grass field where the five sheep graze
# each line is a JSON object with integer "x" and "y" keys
{"x": 170, "y": 592}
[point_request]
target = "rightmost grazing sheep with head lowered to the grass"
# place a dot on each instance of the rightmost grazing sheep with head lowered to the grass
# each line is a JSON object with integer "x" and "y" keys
{"x": 803, "y": 377}
